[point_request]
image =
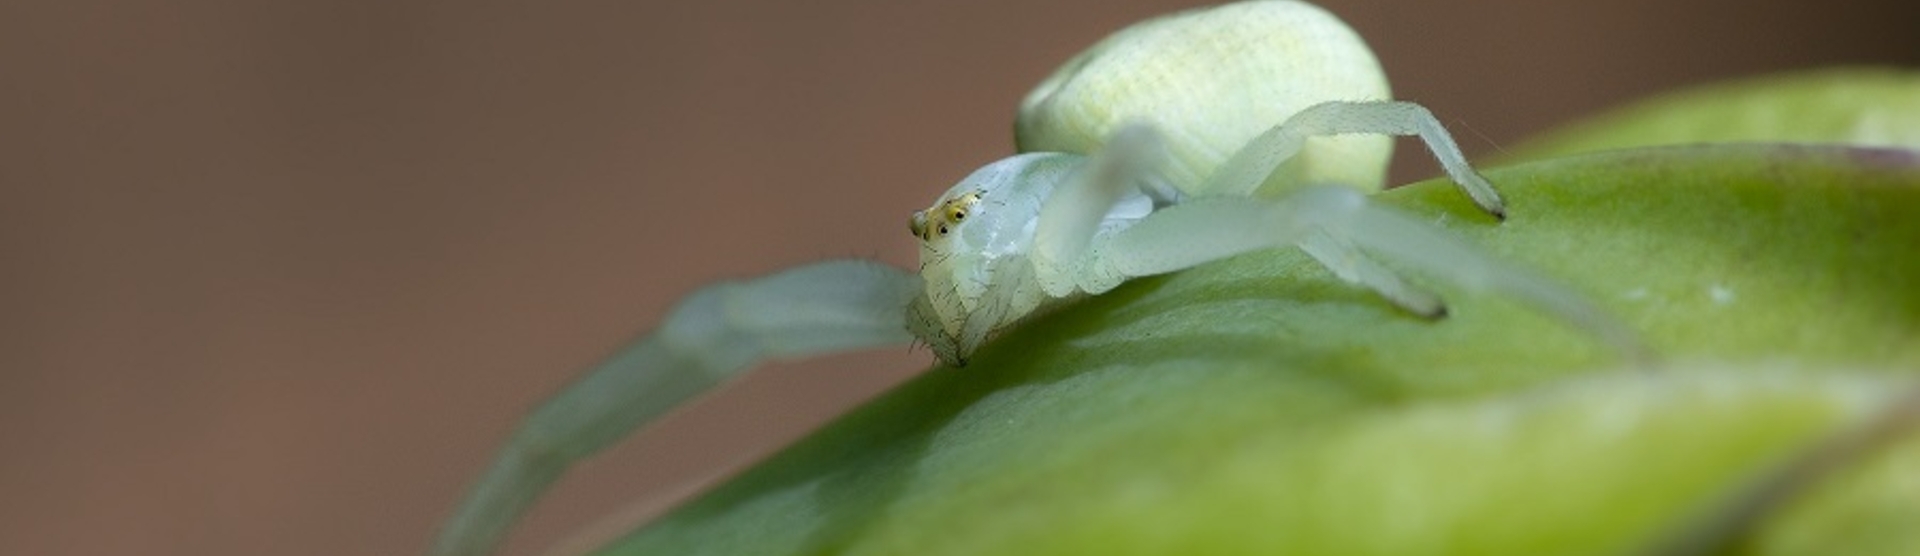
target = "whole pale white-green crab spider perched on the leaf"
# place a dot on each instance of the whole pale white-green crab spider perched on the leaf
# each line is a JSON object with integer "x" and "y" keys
{"x": 1199, "y": 126}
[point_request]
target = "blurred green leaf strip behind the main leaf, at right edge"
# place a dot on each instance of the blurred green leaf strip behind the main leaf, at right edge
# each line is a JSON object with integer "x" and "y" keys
{"x": 1861, "y": 106}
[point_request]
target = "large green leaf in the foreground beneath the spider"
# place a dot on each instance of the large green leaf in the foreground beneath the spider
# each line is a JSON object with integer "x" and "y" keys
{"x": 1262, "y": 407}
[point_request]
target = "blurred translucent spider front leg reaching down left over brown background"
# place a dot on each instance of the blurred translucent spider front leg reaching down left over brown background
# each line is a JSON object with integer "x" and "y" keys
{"x": 709, "y": 338}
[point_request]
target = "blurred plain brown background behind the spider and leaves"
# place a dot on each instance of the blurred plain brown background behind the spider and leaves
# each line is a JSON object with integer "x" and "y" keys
{"x": 276, "y": 277}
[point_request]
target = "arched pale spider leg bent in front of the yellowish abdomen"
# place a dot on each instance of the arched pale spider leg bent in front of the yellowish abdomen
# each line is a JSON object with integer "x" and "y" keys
{"x": 1251, "y": 166}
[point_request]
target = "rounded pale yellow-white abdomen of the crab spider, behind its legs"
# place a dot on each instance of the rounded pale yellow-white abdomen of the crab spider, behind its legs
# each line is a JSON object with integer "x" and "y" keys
{"x": 1212, "y": 80}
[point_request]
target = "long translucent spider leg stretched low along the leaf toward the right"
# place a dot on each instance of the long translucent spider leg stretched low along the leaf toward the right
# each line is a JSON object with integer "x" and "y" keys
{"x": 1211, "y": 229}
